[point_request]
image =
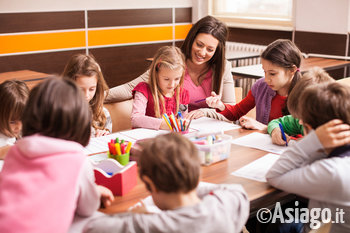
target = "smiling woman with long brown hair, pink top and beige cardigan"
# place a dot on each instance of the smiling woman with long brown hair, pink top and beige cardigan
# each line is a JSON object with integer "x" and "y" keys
{"x": 207, "y": 69}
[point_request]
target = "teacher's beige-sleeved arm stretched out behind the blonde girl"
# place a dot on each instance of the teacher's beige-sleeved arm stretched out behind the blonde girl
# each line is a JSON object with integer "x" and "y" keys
{"x": 124, "y": 92}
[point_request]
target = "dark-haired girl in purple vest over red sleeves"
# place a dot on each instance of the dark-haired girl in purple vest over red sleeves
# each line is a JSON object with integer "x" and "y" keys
{"x": 280, "y": 61}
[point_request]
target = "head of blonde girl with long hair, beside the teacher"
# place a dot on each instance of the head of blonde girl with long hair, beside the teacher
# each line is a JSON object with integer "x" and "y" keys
{"x": 166, "y": 76}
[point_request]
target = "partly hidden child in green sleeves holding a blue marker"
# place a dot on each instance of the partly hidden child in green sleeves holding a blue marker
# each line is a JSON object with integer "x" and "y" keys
{"x": 290, "y": 123}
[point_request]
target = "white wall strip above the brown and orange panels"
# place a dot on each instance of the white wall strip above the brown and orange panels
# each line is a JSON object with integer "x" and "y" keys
{"x": 7, "y": 6}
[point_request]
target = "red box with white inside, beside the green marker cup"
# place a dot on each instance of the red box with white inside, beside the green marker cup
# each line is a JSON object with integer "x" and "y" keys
{"x": 118, "y": 178}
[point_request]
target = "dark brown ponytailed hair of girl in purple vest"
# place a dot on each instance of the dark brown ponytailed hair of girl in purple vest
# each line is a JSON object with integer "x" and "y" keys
{"x": 285, "y": 54}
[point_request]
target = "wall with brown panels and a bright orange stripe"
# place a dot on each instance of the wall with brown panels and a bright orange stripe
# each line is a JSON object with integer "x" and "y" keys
{"x": 121, "y": 35}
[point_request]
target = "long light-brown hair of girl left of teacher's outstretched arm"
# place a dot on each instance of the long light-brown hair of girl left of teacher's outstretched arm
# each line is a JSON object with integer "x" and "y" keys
{"x": 86, "y": 65}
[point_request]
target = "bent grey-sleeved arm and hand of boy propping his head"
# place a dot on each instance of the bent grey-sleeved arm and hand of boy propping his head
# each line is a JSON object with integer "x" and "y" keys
{"x": 303, "y": 170}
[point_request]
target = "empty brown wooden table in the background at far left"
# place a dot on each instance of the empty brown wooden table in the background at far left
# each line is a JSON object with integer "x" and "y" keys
{"x": 31, "y": 78}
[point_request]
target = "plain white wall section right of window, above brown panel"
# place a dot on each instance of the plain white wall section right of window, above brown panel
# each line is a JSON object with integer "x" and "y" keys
{"x": 329, "y": 16}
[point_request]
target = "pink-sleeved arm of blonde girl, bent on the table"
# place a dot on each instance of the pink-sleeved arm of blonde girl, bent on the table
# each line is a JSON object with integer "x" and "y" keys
{"x": 138, "y": 115}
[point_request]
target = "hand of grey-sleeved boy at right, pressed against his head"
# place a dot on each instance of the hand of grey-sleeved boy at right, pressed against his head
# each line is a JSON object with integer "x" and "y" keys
{"x": 333, "y": 134}
